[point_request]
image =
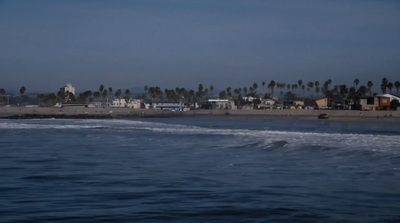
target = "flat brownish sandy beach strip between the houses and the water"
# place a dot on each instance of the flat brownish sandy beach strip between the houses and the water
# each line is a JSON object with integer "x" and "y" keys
{"x": 111, "y": 113}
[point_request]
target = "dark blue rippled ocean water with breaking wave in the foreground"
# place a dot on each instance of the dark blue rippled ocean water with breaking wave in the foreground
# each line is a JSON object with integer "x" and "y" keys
{"x": 199, "y": 170}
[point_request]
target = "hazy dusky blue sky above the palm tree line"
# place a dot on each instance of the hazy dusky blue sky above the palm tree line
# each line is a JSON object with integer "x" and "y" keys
{"x": 45, "y": 44}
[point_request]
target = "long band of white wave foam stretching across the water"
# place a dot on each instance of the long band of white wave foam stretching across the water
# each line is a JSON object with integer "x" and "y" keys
{"x": 374, "y": 142}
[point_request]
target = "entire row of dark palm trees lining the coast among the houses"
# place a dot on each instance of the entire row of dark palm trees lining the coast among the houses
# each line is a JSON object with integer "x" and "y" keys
{"x": 299, "y": 89}
